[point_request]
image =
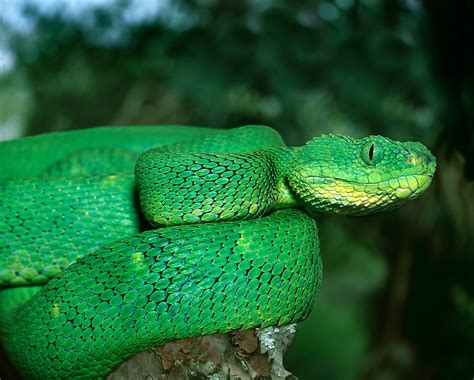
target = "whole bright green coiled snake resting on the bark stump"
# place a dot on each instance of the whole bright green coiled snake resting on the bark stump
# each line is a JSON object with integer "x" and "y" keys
{"x": 221, "y": 241}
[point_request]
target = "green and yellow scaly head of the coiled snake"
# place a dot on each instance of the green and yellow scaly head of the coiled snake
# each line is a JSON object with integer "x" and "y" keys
{"x": 342, "y": 175}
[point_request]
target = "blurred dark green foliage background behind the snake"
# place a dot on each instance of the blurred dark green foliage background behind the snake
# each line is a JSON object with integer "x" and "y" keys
{"x": 397, "y": 300}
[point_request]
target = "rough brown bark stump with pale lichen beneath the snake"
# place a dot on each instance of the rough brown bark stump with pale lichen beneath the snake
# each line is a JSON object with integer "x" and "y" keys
{"x": 249, "y": 354}
